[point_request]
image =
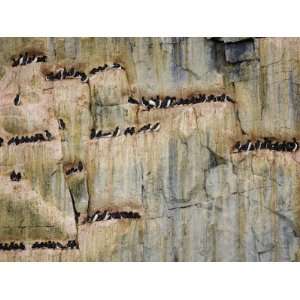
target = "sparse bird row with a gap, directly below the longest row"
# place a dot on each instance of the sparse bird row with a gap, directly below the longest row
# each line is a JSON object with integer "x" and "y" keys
{"x": 129, "y": 130}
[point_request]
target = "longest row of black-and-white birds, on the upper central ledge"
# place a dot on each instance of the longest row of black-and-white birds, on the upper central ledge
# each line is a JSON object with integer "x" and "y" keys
{"x": 168, "y": 101}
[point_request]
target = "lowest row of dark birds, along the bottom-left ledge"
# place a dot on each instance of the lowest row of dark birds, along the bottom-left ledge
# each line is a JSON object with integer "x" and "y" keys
{"x": 12, "y": 246}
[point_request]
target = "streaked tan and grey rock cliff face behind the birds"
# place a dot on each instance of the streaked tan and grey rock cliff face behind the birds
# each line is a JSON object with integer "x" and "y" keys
{"x": 198, "y": 200}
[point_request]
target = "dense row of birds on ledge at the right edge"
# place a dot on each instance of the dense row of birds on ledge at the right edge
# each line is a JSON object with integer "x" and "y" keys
{"x": 267, "y": 143}
